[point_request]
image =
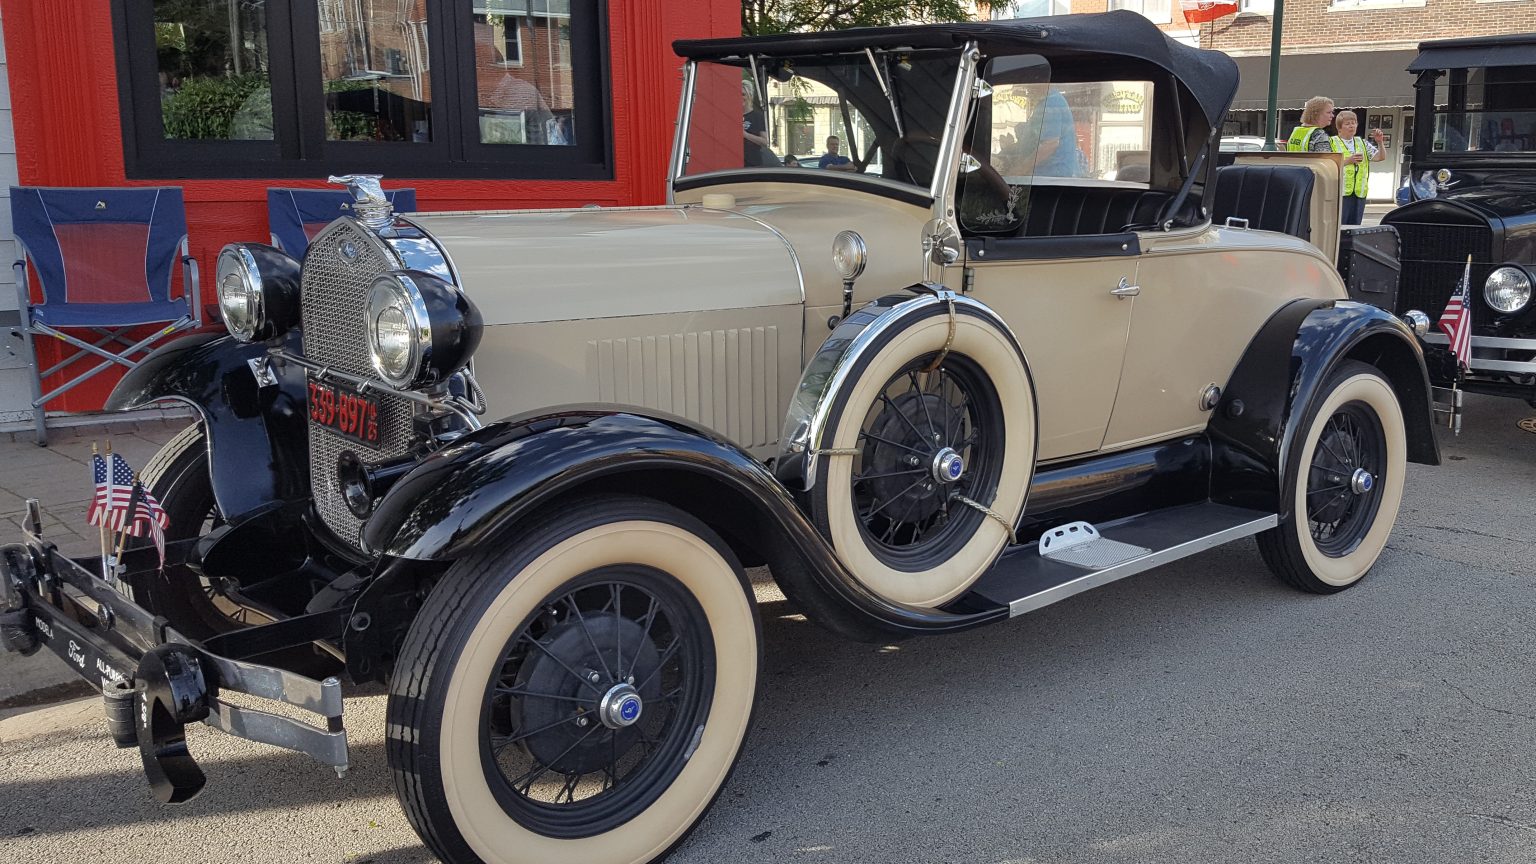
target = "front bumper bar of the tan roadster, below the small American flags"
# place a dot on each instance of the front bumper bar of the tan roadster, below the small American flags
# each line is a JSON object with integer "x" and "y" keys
{"x": 154, "y": 680}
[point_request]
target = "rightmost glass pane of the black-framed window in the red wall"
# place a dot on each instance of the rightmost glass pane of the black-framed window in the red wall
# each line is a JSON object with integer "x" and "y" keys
{"x": 523, "y": 73}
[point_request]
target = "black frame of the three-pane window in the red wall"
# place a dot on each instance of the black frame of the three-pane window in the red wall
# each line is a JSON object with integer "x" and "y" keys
{"x": 299, "y": 108}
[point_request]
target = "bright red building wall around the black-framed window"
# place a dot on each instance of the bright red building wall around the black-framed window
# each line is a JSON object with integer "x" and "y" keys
{"x": 68, "y": 133}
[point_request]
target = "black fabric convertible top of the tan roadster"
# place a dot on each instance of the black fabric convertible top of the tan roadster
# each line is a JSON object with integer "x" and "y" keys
{"x": 1110, "y": 42}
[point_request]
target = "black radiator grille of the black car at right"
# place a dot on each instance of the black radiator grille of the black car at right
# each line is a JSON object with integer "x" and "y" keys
{"x": 1434, "y": 261}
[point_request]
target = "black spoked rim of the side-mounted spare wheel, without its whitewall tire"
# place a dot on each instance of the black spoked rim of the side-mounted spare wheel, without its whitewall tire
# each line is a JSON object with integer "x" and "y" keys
{"x": 932, "y": 440}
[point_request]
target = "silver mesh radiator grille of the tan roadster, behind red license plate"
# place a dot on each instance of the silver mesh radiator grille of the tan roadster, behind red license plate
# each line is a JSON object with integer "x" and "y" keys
{"x": 336, "y": 288}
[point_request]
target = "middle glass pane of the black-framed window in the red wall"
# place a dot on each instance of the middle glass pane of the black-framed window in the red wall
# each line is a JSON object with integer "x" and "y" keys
{"x": 376, "y": 70}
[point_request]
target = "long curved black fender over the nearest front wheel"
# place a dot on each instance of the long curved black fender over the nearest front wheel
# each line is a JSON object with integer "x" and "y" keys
{"x": 483, "y": 485}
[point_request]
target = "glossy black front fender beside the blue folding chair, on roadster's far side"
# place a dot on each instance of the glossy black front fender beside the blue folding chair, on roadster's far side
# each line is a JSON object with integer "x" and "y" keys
{"x": 259, "y": 448}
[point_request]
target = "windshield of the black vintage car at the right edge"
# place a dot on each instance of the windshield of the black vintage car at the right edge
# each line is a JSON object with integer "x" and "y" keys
{"x": 1486, "y": 111}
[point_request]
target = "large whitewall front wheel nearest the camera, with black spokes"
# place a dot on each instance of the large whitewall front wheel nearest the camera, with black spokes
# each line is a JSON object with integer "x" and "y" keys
{"x": 580, "y": 693}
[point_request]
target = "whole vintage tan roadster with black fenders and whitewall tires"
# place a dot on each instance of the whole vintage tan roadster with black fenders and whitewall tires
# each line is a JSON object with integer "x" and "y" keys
{"x": 1016, "y": 361}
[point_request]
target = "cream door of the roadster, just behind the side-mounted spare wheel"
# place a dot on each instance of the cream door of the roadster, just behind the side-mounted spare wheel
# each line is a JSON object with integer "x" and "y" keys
{"x": 1074, "y": 336}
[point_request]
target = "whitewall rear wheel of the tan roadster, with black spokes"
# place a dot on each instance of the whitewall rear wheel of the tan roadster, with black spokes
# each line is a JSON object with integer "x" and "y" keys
{"x": 1343, "y": 484}
